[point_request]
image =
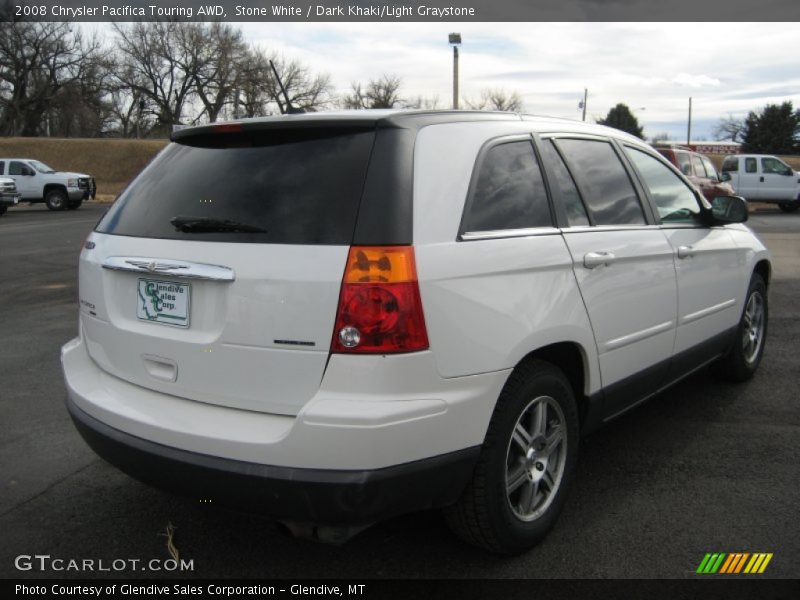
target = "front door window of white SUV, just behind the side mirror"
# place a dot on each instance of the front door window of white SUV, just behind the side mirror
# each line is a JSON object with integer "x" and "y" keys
{"x": 674, "y": 200}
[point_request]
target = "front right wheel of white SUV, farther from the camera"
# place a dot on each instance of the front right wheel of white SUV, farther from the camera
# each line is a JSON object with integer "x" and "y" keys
{"x": 742, "y": 360}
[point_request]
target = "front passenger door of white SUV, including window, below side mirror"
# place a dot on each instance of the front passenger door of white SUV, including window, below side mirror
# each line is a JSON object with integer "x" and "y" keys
{"x": 706, "y": 265}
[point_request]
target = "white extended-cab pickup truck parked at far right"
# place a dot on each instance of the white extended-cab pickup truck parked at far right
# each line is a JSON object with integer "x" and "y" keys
{"x": 763, "y": 178}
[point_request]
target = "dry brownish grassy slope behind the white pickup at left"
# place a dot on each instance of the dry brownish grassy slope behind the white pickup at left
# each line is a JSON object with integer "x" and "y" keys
{"x": 113, "y": 162}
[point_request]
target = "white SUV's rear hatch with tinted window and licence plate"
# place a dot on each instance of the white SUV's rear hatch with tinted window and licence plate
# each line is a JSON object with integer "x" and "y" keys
{"x": 215, "y": 276}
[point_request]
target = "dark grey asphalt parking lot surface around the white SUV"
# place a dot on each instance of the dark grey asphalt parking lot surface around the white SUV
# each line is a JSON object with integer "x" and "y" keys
{"x": 704, "y": 467}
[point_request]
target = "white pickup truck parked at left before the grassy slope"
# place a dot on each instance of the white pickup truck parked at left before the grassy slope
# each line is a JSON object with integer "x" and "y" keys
{"x": 37, "y": 182}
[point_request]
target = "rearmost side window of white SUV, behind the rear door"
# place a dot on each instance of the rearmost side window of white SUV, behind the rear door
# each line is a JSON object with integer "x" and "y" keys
{"x": 509, "y": 192}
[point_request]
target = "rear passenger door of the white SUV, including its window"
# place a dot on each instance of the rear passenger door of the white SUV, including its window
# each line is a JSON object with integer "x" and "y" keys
{"x": 623, "y": 265}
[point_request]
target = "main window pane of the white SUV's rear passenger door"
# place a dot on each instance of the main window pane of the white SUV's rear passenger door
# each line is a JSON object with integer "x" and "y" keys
{"x": 603, "y": 181}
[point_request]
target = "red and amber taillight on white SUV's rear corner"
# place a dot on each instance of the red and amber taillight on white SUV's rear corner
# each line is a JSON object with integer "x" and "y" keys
{"x": 380, "y": 310}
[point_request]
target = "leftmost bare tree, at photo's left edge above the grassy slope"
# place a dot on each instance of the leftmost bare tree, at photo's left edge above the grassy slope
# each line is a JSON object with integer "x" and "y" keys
{"x": 37, "y": 61}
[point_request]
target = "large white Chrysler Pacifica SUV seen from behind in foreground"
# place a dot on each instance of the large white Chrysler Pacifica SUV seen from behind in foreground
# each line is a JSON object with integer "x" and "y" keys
{"x": 337, "y": 318}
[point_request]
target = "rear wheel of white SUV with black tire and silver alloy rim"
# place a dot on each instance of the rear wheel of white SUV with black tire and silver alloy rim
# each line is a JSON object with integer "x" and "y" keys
{"x": 488, "y": 514}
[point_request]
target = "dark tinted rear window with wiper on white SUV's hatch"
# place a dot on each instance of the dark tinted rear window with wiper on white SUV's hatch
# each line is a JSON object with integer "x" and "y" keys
{"x": 280, "y": 187}
